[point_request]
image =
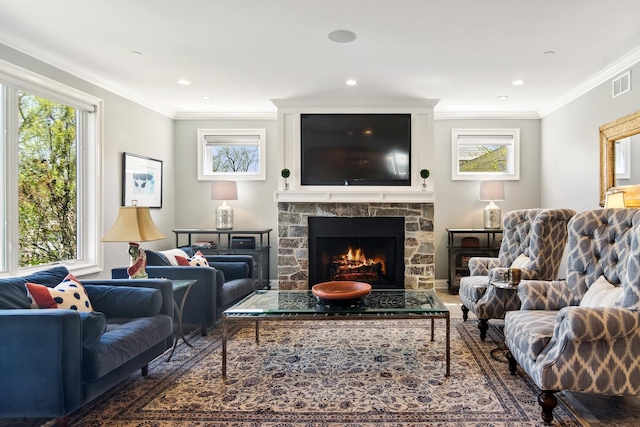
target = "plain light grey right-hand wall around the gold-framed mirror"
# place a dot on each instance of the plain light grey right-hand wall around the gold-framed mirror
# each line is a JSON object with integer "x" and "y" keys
{"x": 570, "y": 146}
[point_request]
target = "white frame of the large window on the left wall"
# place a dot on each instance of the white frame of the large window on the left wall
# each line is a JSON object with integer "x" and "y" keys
{"x": 89, "y": 135}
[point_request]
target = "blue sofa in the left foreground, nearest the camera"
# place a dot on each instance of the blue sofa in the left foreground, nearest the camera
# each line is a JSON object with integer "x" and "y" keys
{"x": 54, "y": 361}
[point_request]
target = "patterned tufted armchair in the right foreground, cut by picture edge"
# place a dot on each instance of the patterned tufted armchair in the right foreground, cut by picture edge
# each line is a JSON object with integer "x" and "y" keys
{"x": 565, "y": 342}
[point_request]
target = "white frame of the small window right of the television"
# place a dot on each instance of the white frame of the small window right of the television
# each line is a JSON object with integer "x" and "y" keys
{"x": 507, "y": 137}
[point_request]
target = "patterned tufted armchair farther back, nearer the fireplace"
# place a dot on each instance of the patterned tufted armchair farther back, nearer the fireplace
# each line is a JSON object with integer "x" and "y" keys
{"x": 536, "y": 238}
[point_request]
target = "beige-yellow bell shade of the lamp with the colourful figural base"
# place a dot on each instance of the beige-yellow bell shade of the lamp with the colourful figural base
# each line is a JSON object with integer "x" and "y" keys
{"x": 133, "y": 224}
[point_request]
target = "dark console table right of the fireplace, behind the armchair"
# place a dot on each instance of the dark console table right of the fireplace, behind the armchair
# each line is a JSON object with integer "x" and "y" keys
{"x": 488, "y": 246}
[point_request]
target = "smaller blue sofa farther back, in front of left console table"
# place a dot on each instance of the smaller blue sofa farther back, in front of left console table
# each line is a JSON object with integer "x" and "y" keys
{"x": 227, "y": 280}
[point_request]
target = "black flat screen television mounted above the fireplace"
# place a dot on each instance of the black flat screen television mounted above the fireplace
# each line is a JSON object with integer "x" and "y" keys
{"x": 355, "y": 149}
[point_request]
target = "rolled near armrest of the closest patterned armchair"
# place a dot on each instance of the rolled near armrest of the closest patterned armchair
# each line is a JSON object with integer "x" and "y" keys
{"x": 595, "y": 324}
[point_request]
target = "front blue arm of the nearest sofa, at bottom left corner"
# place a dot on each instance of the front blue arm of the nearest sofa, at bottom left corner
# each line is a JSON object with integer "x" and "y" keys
{"x": 41, "y": 362}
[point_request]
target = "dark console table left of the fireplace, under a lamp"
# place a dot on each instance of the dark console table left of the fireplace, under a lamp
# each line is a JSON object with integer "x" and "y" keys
{"x": 222, "y": 245}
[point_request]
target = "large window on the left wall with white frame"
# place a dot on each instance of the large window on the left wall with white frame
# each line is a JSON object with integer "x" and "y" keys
{"x": 50, "y": 192}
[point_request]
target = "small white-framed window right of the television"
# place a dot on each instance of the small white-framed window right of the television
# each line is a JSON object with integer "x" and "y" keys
{"x": 479, "y": 154}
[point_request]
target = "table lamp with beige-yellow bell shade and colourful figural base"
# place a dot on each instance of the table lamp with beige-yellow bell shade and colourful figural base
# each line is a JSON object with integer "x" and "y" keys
{"x": 134, "y": 224}
